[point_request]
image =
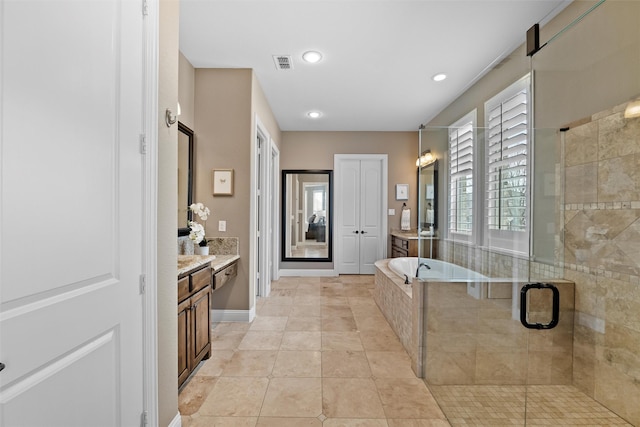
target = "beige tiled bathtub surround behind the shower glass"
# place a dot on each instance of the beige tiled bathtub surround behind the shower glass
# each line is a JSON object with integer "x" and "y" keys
{"x": 460, "y": 333}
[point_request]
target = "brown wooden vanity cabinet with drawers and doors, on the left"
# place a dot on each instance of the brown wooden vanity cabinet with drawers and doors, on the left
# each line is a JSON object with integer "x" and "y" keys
{"x": 194, "y": 320}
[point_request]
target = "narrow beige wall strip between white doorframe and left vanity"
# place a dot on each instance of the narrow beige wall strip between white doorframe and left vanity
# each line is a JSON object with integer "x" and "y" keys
{"x": 167, "y": 216}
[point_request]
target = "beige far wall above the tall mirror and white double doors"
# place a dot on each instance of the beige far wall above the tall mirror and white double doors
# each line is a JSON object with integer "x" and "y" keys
{"x": 315, "y": 150}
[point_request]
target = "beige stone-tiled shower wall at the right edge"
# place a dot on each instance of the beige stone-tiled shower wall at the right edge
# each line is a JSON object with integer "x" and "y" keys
{"x": 602, "y": 256}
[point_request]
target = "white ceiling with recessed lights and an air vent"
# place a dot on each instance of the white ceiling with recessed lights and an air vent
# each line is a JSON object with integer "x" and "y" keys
{"x": 379, "y": 56}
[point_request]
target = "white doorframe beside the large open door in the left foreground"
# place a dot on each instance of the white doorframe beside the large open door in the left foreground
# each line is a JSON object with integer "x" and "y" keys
{"x": 149, "y": 286}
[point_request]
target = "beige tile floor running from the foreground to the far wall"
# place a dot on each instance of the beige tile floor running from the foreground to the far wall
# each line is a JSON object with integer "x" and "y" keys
{"x": 320, "y": 353}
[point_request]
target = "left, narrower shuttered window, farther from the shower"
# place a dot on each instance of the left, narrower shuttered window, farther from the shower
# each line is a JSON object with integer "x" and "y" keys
{"x": 461, "y": 158}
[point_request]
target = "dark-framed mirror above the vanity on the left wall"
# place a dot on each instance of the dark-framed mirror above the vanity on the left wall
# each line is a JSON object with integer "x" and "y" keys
{"x": 185, "y": 178}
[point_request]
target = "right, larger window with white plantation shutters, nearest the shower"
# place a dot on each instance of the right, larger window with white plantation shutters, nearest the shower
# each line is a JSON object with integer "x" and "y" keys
{"x": 507, "y": 153}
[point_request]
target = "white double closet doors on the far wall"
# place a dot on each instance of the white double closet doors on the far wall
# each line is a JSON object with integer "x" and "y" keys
{"x": 360, "y": 203}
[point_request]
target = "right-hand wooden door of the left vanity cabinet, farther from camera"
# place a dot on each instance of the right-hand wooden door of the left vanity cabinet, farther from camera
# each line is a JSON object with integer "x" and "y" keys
{"x": 201, "y": 325}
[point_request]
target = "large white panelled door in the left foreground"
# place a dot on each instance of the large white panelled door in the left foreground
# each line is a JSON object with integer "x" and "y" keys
{"x": 71, "y": 213}
